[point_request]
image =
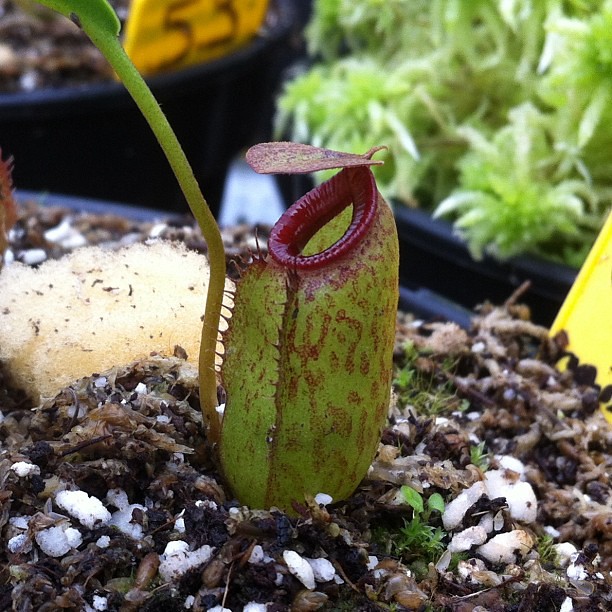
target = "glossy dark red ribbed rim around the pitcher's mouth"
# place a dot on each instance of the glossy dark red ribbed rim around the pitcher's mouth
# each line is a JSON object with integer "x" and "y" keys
{"x": 311, "y": 212}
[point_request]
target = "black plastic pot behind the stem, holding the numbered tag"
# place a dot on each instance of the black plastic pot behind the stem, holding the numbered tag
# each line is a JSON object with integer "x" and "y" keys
{"x": 92, "y": 141}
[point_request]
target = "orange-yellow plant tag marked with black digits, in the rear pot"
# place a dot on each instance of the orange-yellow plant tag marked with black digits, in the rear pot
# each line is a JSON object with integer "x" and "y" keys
{"x": 162, "y": 35}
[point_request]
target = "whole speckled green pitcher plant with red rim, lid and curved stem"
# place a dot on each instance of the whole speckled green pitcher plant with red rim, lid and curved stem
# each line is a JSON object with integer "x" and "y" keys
{"x": 308, "y": 351}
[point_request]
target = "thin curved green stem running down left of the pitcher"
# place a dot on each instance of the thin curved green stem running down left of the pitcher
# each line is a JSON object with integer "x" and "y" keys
{"x": 112, "y": 50}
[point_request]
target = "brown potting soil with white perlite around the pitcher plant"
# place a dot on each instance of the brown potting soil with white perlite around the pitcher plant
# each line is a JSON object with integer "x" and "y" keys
{"x": 469, "y": 404}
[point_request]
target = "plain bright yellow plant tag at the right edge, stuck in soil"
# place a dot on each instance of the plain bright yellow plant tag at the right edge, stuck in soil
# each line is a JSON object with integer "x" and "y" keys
{"x": 586, "y": 314}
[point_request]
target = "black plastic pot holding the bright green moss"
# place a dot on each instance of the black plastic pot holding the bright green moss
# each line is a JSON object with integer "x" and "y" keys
{"x": 434, "y": 259}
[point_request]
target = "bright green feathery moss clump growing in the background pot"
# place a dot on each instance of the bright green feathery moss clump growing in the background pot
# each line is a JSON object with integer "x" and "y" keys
{"x": 497, "y": 114}
